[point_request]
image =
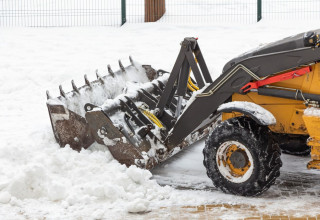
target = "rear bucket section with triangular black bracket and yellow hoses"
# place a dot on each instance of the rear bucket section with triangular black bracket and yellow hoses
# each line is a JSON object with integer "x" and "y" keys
{"x": 136, "y": 126}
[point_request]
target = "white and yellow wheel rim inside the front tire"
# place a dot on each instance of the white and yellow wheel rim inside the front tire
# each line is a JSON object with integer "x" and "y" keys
{"x": 234, "y": 161}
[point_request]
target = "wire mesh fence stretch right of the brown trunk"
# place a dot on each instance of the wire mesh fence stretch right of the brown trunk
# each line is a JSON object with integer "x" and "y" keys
{"x": 239, "y": 11}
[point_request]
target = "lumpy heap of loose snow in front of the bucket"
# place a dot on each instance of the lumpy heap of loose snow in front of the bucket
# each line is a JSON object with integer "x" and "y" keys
{"x": 81, "y": 179}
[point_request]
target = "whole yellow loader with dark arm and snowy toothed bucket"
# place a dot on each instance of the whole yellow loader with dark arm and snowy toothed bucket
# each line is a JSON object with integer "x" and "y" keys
{"x": 263, "y": 100}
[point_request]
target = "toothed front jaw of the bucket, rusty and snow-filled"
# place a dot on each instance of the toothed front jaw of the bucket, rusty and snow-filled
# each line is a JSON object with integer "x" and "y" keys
{"x": 67, "y": 111}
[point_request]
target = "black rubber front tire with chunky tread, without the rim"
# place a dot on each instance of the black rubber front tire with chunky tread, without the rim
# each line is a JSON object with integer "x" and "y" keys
{"x": 265, "y": 154}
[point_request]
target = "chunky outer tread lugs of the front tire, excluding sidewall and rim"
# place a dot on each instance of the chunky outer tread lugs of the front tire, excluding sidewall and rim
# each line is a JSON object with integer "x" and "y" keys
{"x": 269, "y": 156}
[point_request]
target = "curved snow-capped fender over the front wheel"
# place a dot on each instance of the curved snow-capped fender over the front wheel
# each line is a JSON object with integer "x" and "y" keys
{"x": 260, "y": 113}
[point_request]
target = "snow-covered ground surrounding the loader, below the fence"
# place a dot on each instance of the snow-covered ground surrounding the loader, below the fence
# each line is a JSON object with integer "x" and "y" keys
{"x": 39, "y": 180}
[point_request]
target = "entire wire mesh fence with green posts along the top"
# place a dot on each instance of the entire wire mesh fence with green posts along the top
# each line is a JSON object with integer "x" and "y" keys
{"x": 48, "y": 13}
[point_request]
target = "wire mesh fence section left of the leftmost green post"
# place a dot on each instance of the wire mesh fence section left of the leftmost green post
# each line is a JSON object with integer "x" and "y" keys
{"x": 61, "y": 13}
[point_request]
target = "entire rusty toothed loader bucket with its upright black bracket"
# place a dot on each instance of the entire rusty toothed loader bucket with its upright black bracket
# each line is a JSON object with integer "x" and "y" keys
{"x": 144, "y": 123}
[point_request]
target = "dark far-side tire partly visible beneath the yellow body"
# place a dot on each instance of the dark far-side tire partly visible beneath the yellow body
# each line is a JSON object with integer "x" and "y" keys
{"x": 294, "y": 144}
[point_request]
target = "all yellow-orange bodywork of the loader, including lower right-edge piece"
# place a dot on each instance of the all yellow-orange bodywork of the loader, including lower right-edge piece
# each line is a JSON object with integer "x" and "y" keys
{"x": 290, "y": 113}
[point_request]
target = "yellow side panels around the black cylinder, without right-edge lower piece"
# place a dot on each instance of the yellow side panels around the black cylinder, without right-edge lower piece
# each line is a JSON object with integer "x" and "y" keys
{"x": 287, "y": 112}
